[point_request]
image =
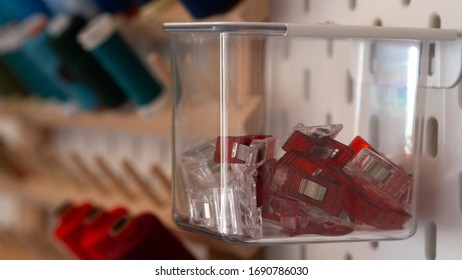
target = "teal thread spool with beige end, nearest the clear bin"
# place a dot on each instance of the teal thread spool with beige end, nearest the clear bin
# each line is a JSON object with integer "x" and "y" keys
{"x": 102, "y": 40}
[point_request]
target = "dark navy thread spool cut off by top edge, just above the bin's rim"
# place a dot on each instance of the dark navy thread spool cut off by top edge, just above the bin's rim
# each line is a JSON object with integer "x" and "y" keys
{"x": 205, "y": 8}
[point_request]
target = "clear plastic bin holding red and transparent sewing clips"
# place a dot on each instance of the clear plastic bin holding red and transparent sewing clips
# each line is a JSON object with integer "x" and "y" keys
{"x": 256, "y": 158}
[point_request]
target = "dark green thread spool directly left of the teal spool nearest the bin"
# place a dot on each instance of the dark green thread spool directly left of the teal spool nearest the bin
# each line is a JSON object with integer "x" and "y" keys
{"x": 63, "y": 31}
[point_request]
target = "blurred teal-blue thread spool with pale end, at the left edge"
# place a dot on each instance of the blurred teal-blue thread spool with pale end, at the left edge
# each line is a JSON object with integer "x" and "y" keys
{"x": 23, "y": 67}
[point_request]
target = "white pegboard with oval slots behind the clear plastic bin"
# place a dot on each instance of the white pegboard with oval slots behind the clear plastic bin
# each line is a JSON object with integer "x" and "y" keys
{"x": 439, "y": 197}
